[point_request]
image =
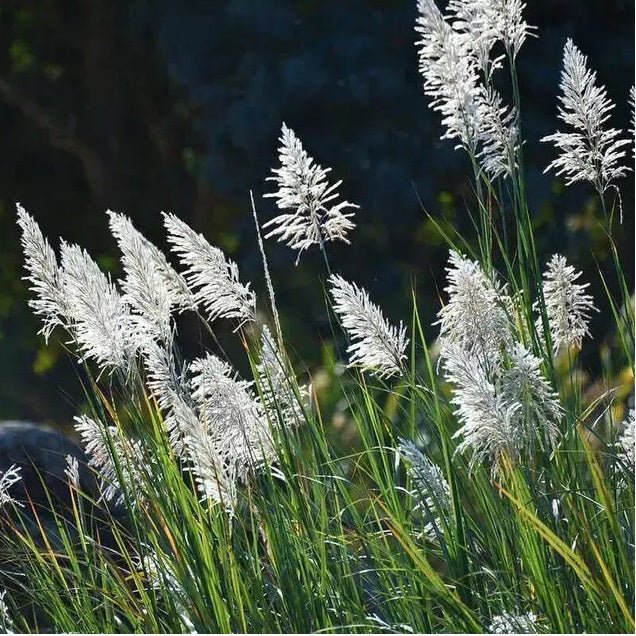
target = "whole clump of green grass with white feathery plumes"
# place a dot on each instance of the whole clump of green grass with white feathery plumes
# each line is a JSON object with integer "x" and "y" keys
{"x": 484, "y": 490}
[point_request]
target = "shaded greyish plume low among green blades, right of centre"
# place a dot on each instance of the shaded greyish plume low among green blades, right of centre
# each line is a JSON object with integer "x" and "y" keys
{"x": 431, "y": 487}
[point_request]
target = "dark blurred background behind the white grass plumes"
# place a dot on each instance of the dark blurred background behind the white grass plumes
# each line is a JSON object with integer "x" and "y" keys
{"x": 143, "y": 106}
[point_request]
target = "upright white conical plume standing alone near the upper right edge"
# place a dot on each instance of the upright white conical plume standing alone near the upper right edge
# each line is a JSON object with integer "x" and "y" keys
{"x": 592, "y": 152}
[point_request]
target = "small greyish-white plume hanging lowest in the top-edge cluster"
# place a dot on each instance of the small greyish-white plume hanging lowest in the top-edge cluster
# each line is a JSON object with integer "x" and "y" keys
{"x": 499, "y": 136}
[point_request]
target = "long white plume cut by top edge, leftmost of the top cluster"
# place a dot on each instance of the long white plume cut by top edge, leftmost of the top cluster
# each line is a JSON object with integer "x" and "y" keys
{"x": 450, "y": 73}
